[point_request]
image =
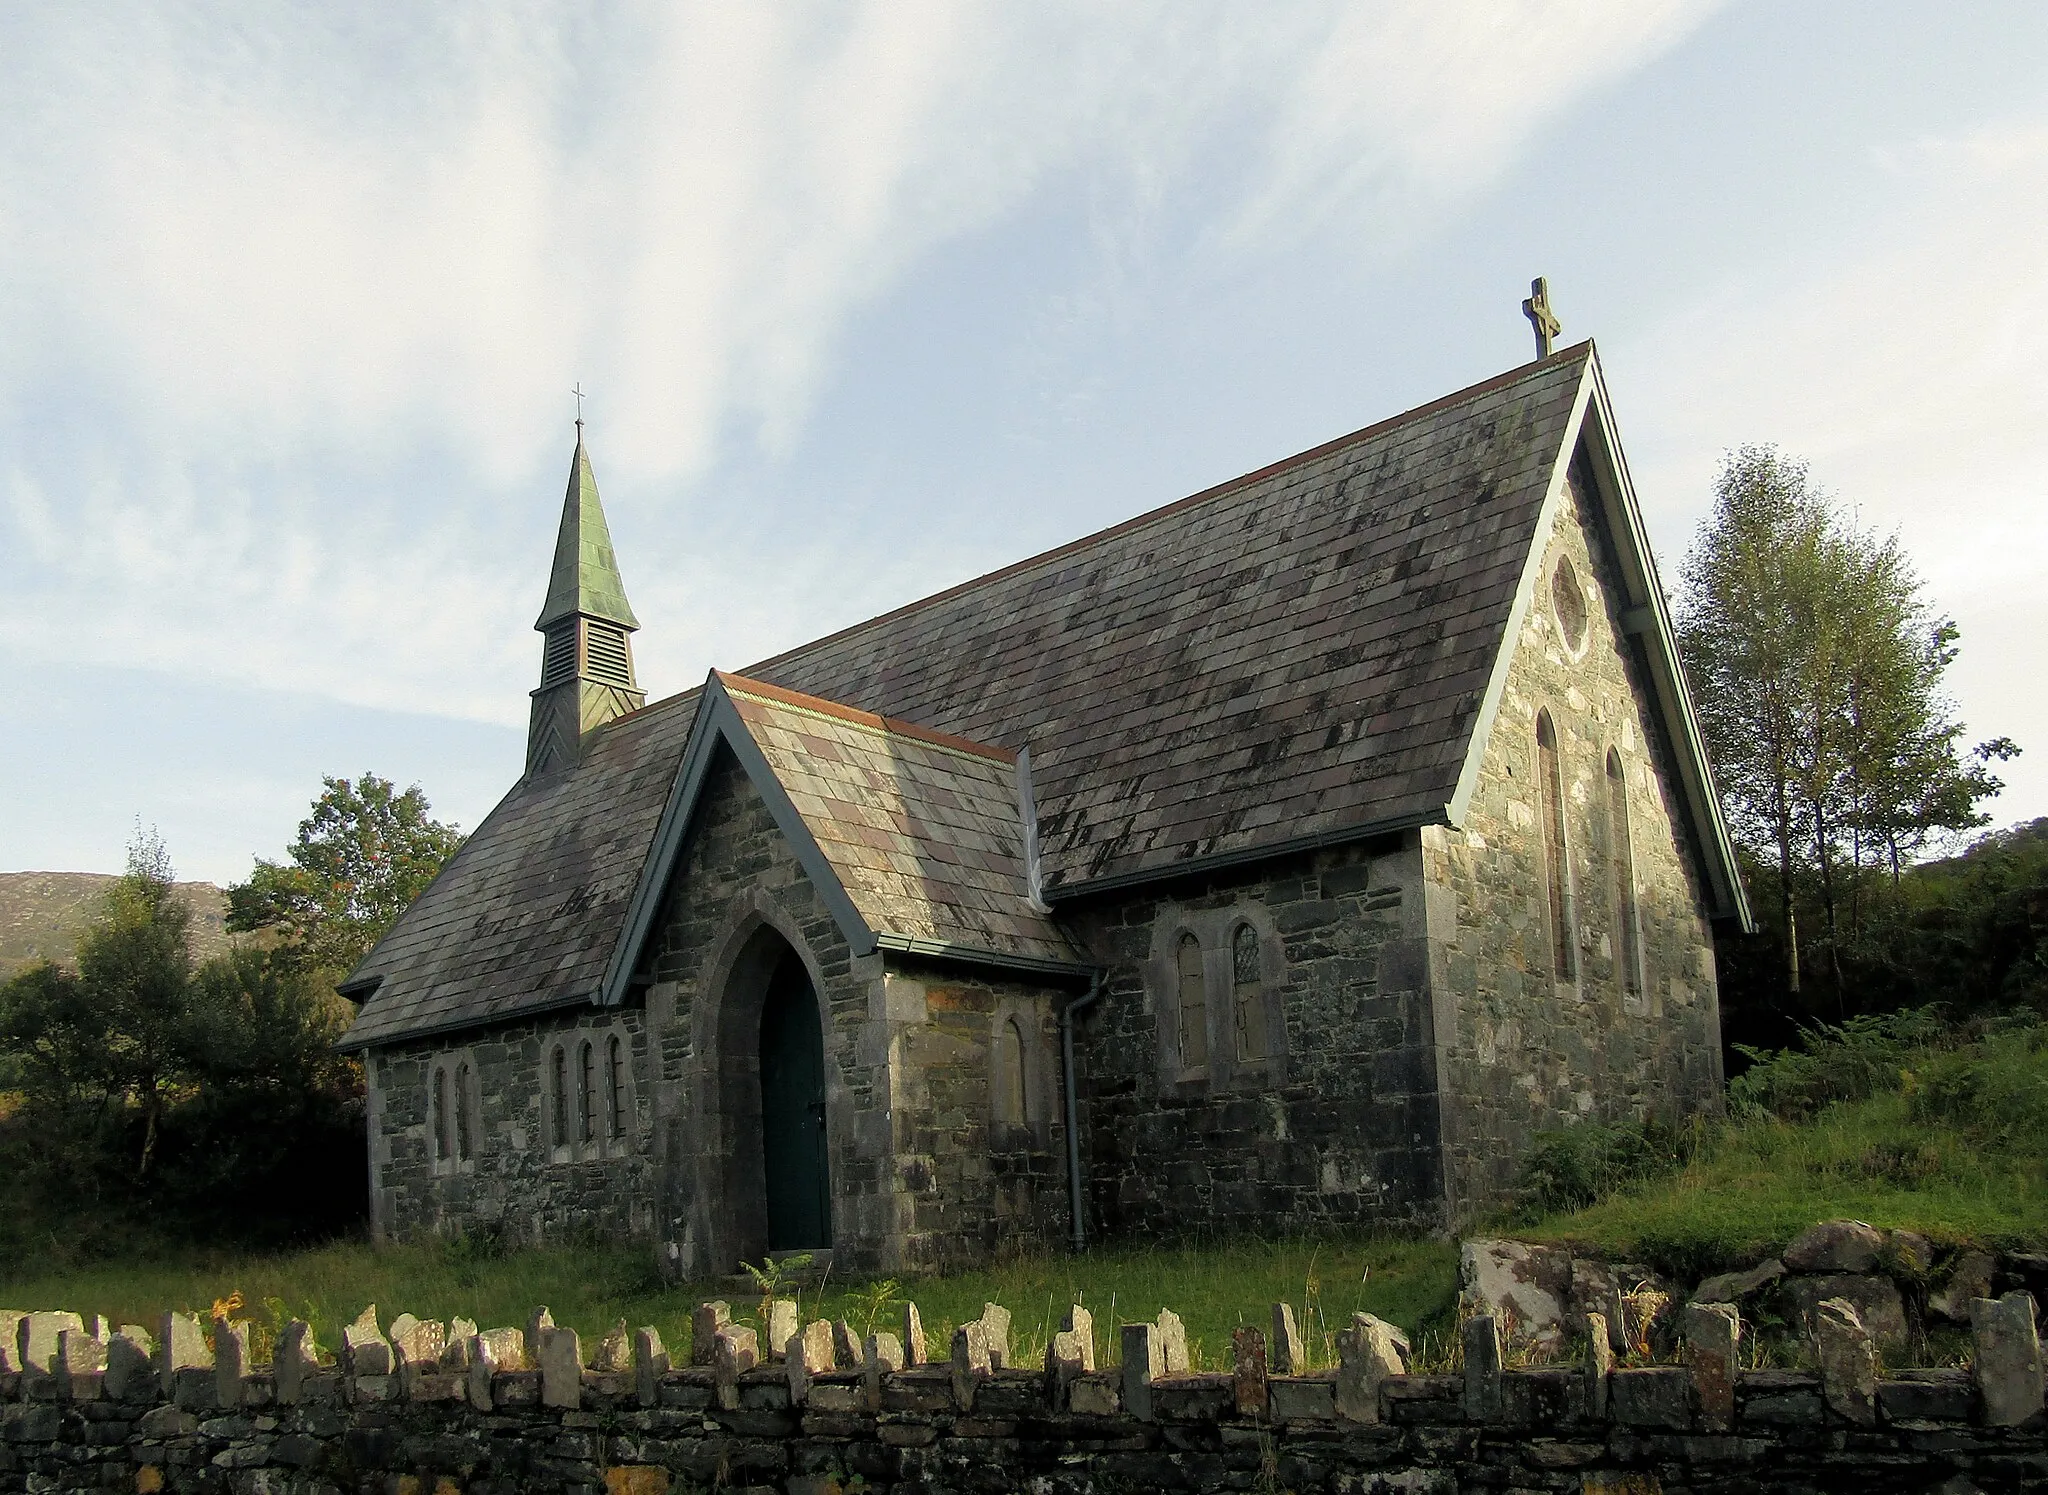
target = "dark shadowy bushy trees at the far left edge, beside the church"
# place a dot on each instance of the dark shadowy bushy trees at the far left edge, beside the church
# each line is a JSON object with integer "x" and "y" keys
{"x": 212, "y": 1095}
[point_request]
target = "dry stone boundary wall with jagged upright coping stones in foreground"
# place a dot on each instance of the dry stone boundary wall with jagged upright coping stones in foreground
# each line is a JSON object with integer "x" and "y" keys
{"x": 421, "y": 1408}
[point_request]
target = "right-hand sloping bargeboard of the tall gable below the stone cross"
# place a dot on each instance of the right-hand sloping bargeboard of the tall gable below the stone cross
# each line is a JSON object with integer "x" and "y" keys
{"x": 1668, "y": 673}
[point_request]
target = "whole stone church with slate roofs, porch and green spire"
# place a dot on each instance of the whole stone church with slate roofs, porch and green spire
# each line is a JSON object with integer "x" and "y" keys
{"x": 1281, "y": 859}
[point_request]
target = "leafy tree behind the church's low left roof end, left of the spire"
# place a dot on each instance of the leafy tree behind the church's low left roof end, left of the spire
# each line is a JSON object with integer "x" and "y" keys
{"x": 361, "y": 857}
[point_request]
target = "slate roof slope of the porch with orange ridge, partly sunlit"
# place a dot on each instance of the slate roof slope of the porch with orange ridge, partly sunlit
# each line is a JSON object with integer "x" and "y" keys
{"x": 923, "y": 830}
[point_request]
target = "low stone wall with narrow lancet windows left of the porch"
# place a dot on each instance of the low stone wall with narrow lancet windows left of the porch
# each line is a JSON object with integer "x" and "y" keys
{"x": 515, "y": 1181}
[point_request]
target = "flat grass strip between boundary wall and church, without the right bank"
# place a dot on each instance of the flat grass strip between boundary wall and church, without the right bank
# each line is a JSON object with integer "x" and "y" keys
{"x": 589, "y": 1289}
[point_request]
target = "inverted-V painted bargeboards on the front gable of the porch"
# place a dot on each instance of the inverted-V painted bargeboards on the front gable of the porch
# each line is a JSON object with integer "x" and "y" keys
{"x": 720, "y": 722}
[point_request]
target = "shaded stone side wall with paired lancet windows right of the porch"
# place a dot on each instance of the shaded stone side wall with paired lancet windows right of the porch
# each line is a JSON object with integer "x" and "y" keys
{"x": 1338, "y": 1127}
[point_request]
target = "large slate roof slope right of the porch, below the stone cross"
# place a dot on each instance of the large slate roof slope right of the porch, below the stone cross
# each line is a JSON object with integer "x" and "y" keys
{"x": 1285, "y": 658}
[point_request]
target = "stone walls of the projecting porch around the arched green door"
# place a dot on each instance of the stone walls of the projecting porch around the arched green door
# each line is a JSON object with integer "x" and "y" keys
{"x": 919, "y": 1179}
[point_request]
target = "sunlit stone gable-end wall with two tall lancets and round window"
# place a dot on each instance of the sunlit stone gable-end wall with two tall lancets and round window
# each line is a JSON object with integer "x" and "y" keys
{"x": 1523, "y": 1052}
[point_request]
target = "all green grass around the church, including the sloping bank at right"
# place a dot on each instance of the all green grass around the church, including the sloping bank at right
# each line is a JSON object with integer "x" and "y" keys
{"x": 1889, "y": 1121}
